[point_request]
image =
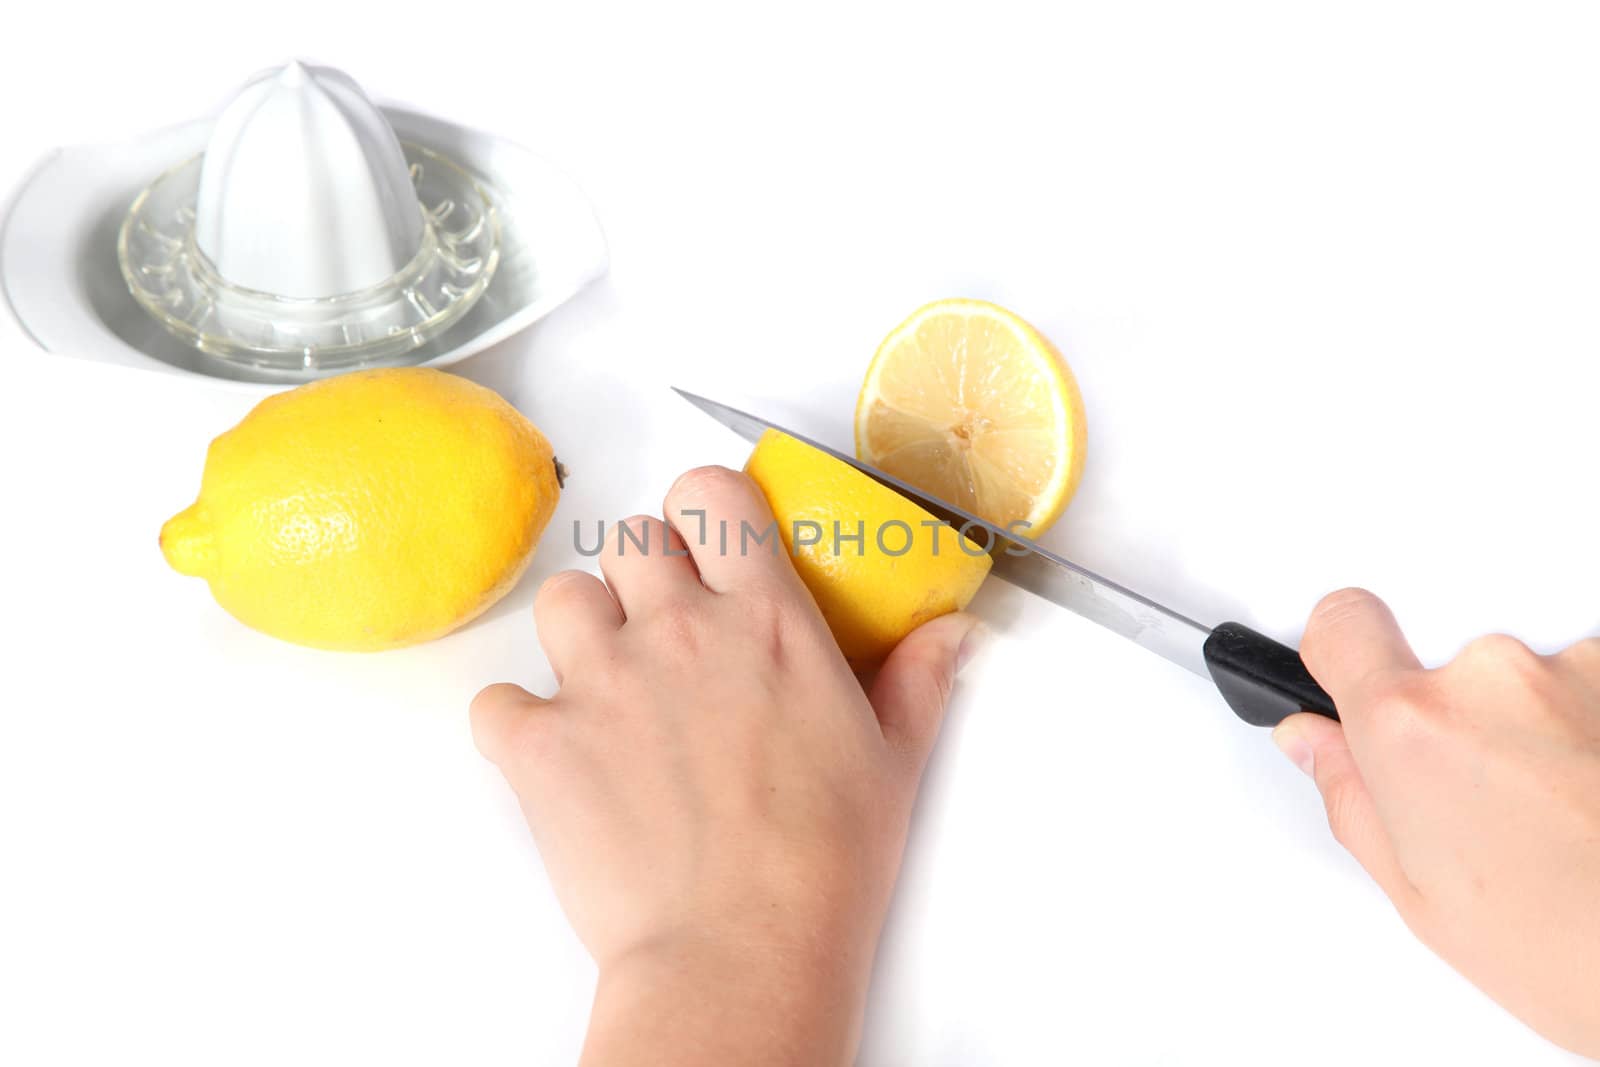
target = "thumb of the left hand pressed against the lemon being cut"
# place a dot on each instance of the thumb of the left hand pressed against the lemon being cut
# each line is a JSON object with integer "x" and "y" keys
{"x": 914, "y": 684}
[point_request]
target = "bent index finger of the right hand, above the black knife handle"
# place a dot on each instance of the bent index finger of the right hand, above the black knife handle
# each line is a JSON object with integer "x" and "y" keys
{"x": 1351, "y": 639}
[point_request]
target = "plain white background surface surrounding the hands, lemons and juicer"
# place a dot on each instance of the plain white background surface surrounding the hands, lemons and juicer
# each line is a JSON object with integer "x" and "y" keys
{"x": 1327, "y": 274}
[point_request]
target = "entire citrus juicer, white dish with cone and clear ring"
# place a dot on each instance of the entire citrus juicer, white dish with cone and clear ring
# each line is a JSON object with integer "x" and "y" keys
{"x": 300, "y": 233}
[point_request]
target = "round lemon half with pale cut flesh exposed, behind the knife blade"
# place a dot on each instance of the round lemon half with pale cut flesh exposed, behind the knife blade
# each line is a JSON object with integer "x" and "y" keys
{"x": 970, "y": 404}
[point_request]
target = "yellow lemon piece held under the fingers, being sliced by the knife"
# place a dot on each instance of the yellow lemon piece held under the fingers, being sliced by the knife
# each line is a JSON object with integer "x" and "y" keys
{"x": 876, "y": 564}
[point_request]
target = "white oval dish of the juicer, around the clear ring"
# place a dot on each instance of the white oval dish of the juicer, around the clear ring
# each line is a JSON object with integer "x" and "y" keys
{"x": 58, "y": 249}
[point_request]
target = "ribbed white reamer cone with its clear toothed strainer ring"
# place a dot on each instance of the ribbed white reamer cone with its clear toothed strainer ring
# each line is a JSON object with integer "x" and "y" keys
{"x": 308, "y": 236}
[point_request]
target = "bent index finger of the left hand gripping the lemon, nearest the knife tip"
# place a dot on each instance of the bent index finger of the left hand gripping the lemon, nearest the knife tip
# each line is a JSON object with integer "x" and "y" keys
{"x": 730, "y": 530}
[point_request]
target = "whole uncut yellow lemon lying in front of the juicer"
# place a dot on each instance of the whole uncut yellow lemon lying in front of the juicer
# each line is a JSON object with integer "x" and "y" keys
{"x": 369, "y": 511}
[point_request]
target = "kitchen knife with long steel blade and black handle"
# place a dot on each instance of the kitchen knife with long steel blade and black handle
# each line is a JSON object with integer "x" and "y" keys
{"x": 1262, "y": 681}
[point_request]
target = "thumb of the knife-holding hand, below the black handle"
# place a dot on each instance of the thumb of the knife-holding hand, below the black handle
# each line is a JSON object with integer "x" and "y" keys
{"x": 1318, "y": 746}
